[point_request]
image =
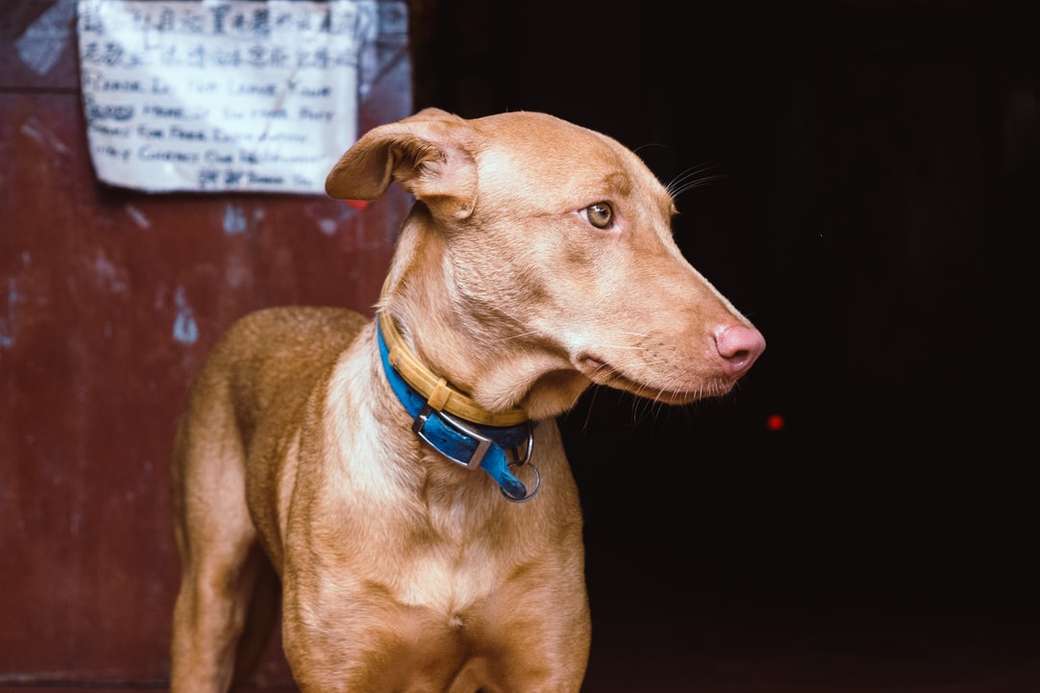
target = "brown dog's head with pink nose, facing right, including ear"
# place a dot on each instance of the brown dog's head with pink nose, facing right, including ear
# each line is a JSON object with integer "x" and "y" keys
{"x": 556, "y": 247}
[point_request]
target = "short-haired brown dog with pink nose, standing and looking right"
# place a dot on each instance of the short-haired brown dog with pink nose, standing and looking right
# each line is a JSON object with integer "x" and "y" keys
{"x": 538, "y": 261}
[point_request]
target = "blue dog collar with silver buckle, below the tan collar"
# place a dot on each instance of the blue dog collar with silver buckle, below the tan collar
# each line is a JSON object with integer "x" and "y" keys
{"x": 464, "y": 443}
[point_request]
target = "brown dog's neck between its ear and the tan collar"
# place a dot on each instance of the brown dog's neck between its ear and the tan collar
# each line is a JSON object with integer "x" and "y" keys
{"x": 483, "y": 358}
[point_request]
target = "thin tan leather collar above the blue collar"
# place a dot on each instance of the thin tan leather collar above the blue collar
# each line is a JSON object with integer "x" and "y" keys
{"x": 439, "y": 395}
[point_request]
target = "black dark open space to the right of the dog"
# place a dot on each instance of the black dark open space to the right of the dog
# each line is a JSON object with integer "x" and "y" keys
{"x": 875, "y": 155}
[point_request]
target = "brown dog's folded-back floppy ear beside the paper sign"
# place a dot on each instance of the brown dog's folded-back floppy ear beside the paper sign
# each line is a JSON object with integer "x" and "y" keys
{"x": 429, "y": 153}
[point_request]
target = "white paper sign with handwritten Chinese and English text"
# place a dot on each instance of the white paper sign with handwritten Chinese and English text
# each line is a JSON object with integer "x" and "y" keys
{"x": 222, "y": 96}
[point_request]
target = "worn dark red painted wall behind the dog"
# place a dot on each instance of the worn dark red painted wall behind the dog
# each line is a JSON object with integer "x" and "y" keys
{"x": 93, "y": 374}
